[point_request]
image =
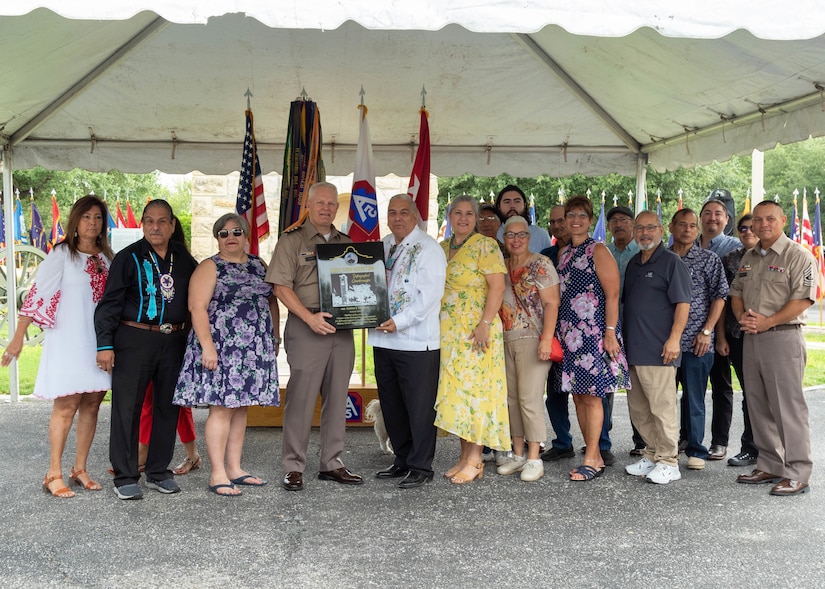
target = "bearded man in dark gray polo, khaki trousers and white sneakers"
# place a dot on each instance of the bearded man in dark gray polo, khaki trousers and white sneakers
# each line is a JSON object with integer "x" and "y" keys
{"x": 656, "y": 297}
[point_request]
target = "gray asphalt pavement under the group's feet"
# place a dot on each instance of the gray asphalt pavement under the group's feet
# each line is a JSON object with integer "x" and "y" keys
{"x": 616, "y": 531}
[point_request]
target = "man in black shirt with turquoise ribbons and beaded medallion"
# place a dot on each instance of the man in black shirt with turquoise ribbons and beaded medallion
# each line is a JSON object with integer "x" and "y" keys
{"x": 142, "y": 322}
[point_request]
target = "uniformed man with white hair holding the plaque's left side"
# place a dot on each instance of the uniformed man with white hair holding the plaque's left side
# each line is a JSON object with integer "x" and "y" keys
{"x": 320, "y": 357}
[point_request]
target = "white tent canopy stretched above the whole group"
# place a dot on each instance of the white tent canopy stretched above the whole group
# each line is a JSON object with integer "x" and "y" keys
{"x": 525, "y": 87}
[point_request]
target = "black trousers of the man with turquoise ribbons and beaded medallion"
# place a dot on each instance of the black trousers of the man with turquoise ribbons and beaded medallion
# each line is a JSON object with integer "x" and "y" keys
{"x": 142, "y": 357}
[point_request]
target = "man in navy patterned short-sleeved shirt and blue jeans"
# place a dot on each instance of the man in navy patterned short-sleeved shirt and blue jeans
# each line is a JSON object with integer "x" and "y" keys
{"x": 709, "y": 289}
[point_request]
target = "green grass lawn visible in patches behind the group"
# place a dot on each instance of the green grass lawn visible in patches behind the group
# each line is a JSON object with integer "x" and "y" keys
{"x": 30, "y": 359}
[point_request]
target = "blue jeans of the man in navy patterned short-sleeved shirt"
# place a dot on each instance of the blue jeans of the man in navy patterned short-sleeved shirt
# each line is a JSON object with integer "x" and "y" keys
{"x": 693, "y": 376}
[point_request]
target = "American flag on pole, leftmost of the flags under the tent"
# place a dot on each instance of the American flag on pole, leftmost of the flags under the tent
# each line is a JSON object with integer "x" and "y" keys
{"x": 251, "y": 203}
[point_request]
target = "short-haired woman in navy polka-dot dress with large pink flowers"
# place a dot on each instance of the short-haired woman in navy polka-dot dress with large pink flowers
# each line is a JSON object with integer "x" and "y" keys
{"x": 588, "y": 327}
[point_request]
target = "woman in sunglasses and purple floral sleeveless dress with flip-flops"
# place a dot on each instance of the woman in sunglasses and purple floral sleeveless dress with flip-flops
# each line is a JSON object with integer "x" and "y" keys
{"x": 230, "y": 360}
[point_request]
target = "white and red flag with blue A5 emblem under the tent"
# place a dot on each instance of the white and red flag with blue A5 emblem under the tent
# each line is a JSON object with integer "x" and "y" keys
{"x": 363, "y": 208}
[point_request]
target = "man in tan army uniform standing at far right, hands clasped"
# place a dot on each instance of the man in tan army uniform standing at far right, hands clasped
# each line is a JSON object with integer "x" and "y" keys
{"x": 770, "y": 295}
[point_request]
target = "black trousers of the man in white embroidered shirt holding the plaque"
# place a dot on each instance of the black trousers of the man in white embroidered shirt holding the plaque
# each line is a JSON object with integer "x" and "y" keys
{"x": 407, "y": 385}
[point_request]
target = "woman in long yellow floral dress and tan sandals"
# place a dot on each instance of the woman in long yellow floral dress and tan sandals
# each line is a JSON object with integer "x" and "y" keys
{"x": 472, "y": 392}
